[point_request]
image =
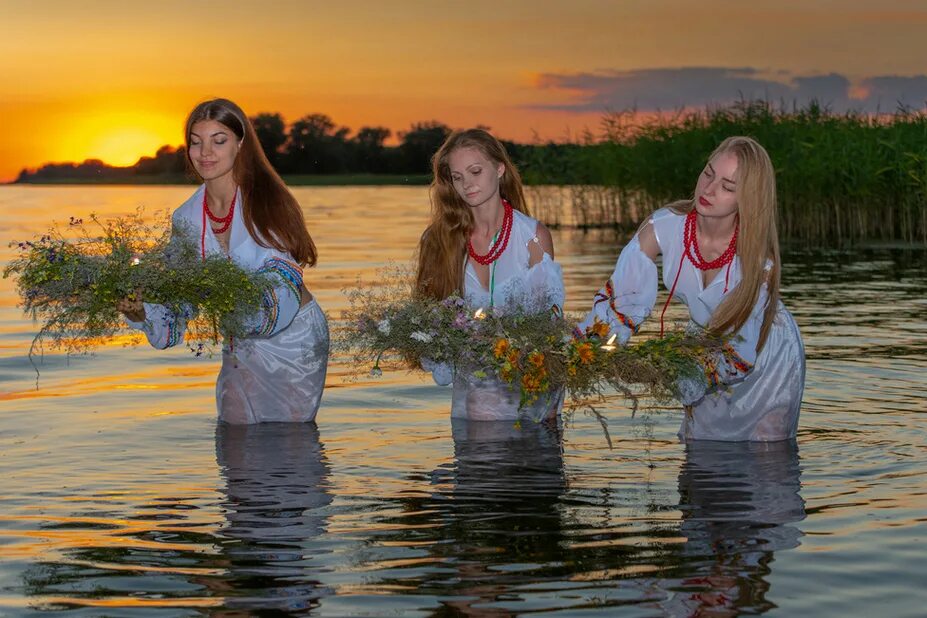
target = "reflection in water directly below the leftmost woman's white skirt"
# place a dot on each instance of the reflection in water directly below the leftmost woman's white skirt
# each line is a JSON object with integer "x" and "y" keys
{"x": 276, "y": 485}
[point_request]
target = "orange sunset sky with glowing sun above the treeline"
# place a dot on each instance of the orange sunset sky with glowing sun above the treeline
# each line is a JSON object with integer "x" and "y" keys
{"x": 114, "y": 80}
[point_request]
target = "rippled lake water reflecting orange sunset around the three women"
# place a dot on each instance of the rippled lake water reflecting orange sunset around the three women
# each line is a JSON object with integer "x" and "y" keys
{"x": 120, "y": 495}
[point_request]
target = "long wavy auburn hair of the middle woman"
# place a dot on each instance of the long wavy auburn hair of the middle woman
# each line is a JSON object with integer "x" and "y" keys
{"x": 443, "y": 247}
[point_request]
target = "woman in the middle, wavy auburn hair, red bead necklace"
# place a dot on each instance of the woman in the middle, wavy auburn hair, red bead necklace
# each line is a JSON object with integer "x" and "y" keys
{"x": 482, "y": 245}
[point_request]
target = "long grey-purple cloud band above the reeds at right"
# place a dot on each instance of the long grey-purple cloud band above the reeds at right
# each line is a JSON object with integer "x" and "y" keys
{"x": 665, "y": 89}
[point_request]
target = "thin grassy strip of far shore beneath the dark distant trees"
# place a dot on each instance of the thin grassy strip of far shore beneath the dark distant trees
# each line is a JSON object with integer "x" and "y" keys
{"x": 294, "y": 180}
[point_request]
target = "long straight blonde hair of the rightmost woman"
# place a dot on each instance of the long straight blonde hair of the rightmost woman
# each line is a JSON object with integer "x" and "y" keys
{"x": 757, "y": 239}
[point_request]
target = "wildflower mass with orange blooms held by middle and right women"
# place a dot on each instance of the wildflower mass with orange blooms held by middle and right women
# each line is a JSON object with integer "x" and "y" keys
{"x": 536, "y": 353}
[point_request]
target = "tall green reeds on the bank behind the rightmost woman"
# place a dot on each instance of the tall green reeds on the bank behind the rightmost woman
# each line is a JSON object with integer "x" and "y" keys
{"x": 841, "y": 176}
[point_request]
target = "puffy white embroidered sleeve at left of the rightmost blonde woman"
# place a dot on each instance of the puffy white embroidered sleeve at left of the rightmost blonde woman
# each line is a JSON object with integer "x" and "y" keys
{"x": 627, "y": 299}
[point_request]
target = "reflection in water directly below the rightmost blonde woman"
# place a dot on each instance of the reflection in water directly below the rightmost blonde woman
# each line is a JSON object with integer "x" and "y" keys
{"x": 739, "y": 501}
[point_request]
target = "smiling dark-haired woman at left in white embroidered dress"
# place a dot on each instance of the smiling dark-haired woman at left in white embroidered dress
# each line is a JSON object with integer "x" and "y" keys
{"x": 244, "y": 210}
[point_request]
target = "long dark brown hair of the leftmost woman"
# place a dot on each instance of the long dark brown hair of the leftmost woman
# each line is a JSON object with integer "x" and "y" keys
{"x": 271, "y": 213}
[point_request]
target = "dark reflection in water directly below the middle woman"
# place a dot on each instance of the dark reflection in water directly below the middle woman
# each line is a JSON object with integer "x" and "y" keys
{"x": 506, "y": 527}
